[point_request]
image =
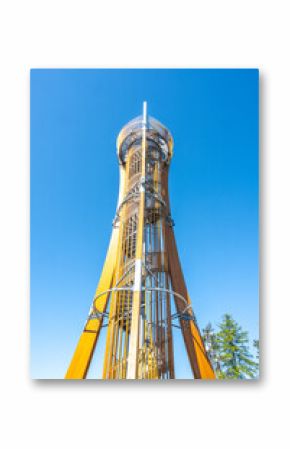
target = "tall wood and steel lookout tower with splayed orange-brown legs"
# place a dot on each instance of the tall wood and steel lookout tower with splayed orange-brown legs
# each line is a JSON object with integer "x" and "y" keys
{"x": 141, "y": 294}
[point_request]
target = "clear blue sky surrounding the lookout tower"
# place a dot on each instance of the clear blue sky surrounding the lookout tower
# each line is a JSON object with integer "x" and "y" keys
{"x": 75, "y": 118}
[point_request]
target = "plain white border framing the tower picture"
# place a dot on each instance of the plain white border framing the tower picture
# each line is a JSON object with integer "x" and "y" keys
{"x": 151, "y": 34}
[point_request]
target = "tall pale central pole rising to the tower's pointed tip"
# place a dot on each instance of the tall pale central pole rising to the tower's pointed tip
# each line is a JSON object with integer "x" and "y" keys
{"x": 137, "y": 294}
